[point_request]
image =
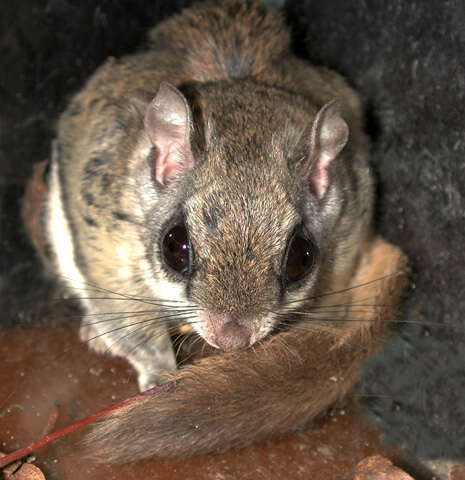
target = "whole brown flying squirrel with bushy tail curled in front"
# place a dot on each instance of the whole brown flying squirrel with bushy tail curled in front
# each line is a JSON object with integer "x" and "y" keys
{"x": 217, "y": 181}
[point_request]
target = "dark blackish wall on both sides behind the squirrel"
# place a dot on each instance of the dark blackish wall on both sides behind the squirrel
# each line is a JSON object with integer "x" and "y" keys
{"x": 405, "y": 57}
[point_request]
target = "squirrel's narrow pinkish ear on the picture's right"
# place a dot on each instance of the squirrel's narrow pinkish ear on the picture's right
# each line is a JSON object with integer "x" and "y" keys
{"x": 325, "y": 137}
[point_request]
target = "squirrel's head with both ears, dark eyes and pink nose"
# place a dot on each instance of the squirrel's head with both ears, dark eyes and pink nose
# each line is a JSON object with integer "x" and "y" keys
{"x": 243, "y": 241}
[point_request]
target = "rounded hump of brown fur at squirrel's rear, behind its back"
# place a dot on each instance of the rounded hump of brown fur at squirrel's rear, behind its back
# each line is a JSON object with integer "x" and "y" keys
{"x": 228, "y": 39}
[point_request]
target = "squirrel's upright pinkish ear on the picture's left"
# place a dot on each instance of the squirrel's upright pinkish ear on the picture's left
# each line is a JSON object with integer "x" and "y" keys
{"x": 168, "y": 124}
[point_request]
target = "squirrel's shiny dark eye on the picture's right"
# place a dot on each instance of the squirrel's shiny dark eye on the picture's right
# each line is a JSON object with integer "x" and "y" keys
{"x": 299, "y": 258}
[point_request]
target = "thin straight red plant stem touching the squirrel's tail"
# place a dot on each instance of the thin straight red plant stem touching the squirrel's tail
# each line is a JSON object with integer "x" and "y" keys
{"x": 22, "y": 452}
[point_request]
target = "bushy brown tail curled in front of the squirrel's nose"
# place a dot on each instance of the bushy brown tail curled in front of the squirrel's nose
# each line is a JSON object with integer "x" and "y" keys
{"x": 237, "y": 399}
